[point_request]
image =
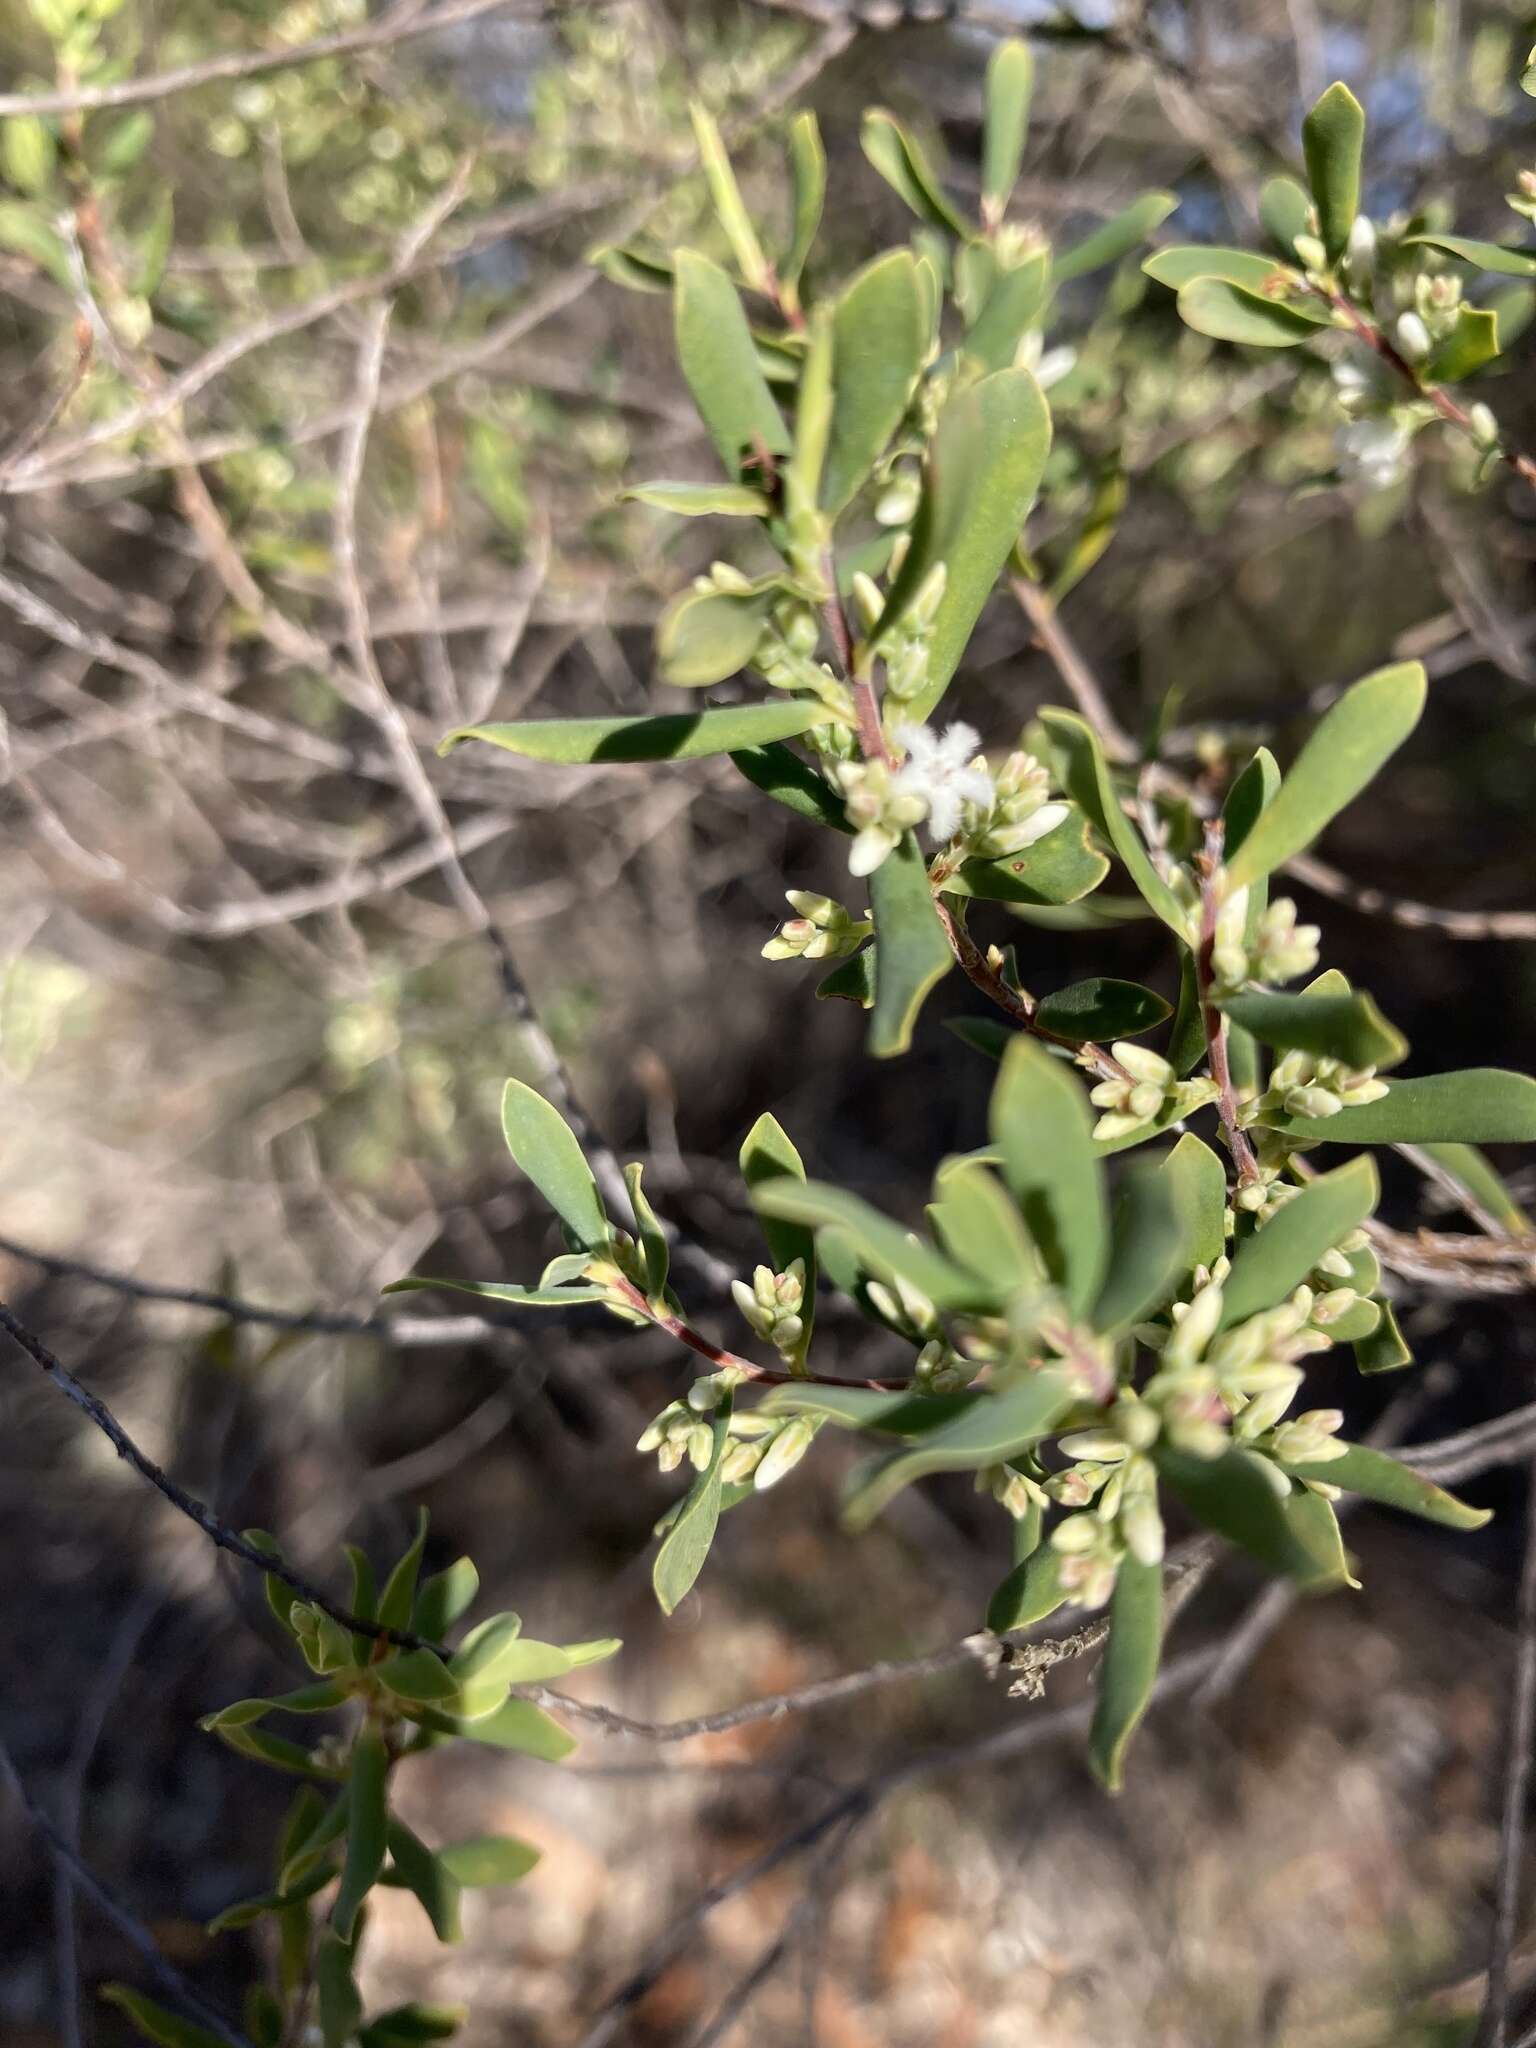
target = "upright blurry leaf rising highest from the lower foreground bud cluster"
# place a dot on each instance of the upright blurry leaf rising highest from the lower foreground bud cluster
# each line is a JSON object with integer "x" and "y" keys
{"x": 1046, "y": 1132}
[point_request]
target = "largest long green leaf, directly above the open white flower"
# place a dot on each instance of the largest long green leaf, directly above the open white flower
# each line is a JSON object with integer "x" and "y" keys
{"x": 984, "y": 470}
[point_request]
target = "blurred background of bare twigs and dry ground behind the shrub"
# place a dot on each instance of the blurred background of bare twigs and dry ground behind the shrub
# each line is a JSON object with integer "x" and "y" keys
{"x": 331, "y": 464}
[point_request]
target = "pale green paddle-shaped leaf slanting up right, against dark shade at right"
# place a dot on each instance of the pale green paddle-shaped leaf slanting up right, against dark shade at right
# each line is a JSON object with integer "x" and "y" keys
{"x": 1351, "y": 744}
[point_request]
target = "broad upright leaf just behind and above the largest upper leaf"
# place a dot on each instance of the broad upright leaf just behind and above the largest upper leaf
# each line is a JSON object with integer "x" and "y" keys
{"x": 880, "y": 337}
